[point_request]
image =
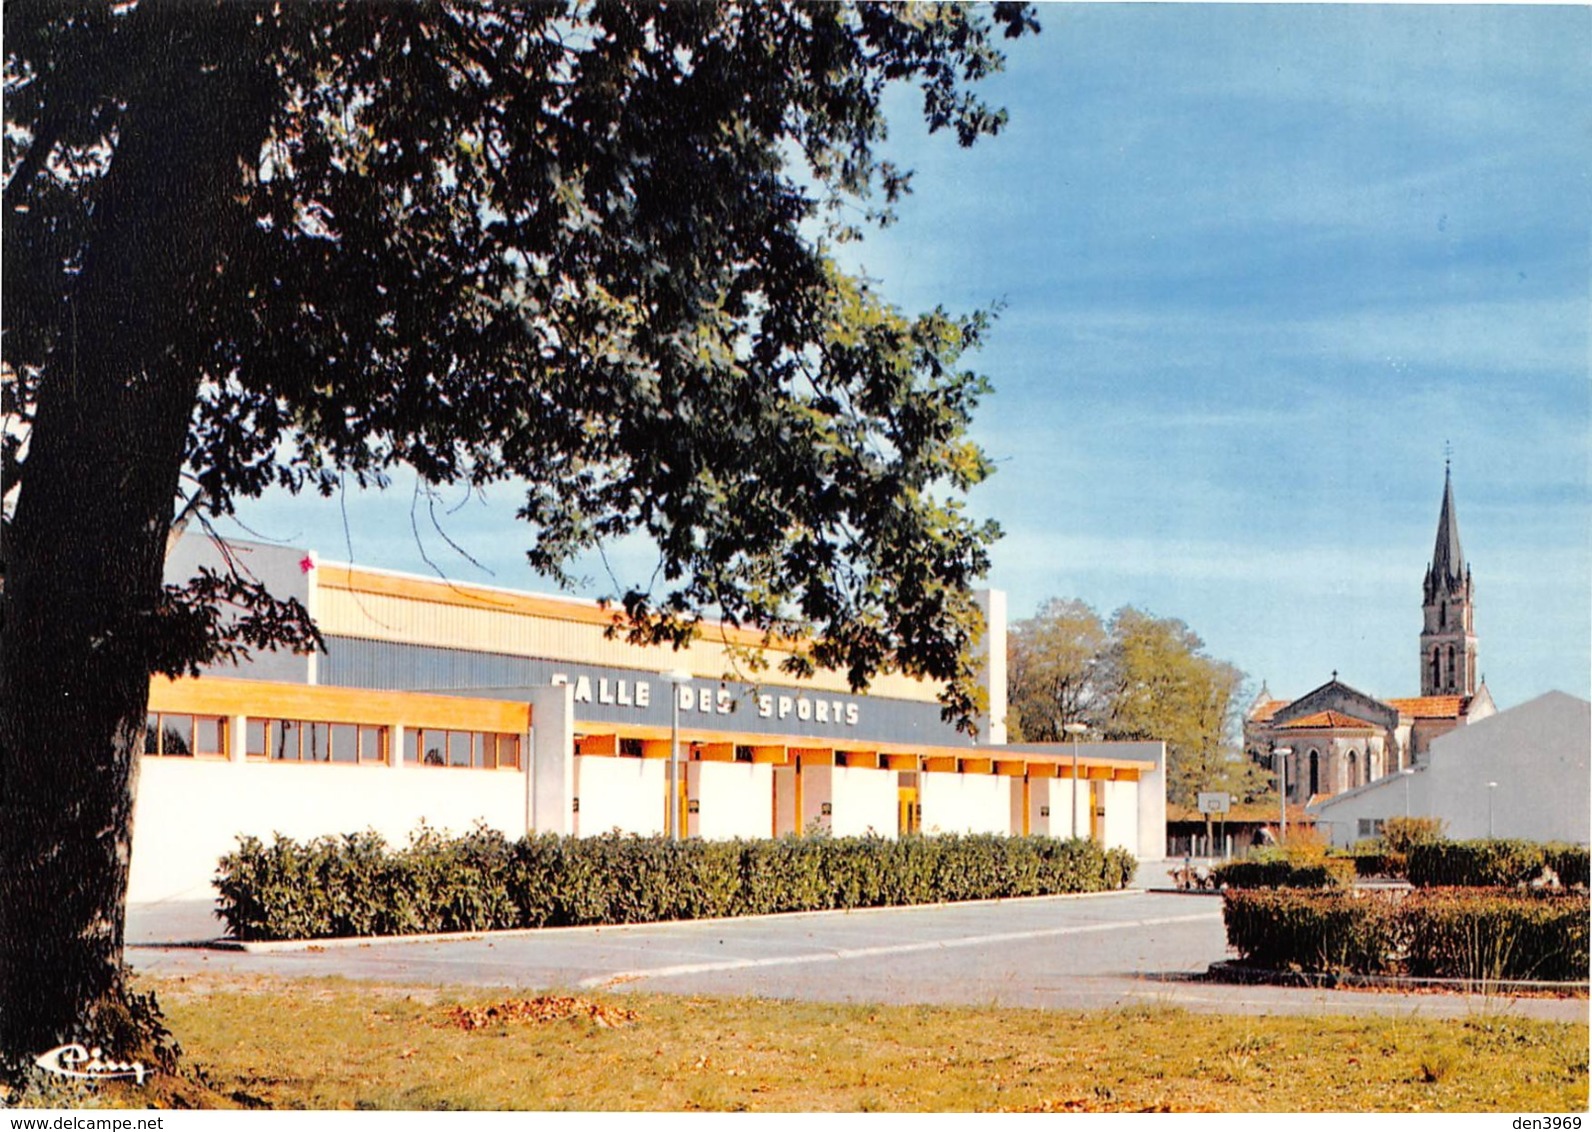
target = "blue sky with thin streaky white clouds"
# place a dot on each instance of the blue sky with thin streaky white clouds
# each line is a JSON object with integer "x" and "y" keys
{"x": 1260, "y": 271}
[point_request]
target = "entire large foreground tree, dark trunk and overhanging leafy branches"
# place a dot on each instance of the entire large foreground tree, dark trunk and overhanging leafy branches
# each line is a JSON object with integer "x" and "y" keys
{"x": 579, "y": 246}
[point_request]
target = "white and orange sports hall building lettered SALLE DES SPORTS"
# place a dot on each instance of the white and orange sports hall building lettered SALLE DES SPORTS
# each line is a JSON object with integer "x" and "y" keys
{"x": 451, "y": 705}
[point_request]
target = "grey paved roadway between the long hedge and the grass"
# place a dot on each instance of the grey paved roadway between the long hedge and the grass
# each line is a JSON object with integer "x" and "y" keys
{"x": 1059, "y": 953}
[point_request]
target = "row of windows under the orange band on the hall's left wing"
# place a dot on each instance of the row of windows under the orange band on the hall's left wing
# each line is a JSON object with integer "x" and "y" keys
{"x": 310, "y": 741}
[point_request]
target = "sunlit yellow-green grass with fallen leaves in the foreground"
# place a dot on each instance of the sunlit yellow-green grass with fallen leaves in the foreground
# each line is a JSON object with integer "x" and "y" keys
{"x": 345, "y": 1045}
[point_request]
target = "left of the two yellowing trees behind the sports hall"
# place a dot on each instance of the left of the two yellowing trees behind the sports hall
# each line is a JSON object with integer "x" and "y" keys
{"x": 1052, "y": 673}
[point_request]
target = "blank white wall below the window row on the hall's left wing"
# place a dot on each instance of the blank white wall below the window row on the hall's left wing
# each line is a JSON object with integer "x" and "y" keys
{"x": 190, "y": 813}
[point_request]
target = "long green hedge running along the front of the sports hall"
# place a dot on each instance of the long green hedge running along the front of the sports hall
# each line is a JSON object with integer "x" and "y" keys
{"x": 357, "y": 886}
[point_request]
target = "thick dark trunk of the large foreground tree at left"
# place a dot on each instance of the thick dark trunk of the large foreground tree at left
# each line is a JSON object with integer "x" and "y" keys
{"x": 85, "y": 561}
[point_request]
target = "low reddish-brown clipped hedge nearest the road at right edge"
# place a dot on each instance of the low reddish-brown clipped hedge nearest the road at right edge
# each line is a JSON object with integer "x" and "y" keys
{"x": 1459, "y": 934}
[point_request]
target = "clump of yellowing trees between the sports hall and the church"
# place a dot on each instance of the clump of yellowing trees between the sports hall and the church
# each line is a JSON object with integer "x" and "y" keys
{"x": 1131, "y": 677}
